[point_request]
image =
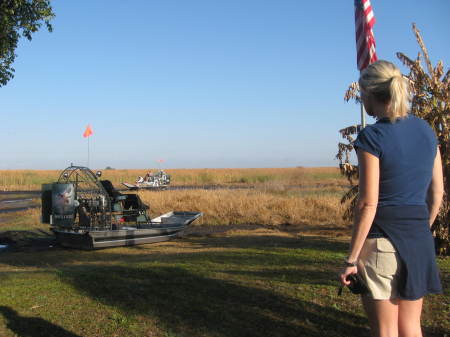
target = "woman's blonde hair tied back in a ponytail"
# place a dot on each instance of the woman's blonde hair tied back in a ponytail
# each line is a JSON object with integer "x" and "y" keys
{"x": 384, "y": 81}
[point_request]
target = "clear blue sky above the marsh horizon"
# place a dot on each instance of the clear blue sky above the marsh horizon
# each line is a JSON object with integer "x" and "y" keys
{"x": 198, "y": 83}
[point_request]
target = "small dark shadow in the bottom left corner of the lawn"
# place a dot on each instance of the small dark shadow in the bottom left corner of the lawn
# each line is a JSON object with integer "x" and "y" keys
{"x": 32, "y": 326}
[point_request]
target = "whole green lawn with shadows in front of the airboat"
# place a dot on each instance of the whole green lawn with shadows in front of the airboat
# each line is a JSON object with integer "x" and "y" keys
{"x": 248, "y": 281}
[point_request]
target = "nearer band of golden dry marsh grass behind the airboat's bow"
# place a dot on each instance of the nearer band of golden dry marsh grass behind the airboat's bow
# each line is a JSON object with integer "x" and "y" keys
{"x": 255, "y": 206}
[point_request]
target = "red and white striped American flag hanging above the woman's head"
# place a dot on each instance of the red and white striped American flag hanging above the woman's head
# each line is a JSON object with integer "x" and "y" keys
{"x": 365, "y": 41}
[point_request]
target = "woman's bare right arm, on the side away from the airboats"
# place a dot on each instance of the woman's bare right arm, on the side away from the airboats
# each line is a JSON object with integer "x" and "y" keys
{"x": 436, "y": 189}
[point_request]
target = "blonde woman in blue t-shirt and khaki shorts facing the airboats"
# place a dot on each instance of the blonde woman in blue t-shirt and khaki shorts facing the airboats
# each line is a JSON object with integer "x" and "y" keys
{"x": 400, "y": 192}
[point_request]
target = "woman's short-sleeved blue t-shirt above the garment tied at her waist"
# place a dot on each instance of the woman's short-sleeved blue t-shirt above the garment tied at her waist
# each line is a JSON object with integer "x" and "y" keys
{"x": 406, "y": 149}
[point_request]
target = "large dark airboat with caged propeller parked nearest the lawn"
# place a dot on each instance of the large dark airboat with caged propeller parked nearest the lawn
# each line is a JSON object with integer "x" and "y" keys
{"x": 85, "y": 212}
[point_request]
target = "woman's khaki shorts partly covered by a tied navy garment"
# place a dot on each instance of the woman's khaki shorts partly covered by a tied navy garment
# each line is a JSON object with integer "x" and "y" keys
{"x": 379, "y": 265}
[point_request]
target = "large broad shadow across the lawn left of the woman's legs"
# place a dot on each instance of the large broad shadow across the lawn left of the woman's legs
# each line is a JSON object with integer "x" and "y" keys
{"x": 189, "y": 304}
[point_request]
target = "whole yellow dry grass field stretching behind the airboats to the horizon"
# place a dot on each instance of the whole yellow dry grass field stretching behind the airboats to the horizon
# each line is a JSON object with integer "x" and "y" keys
{"x": 271, "y": 196}
